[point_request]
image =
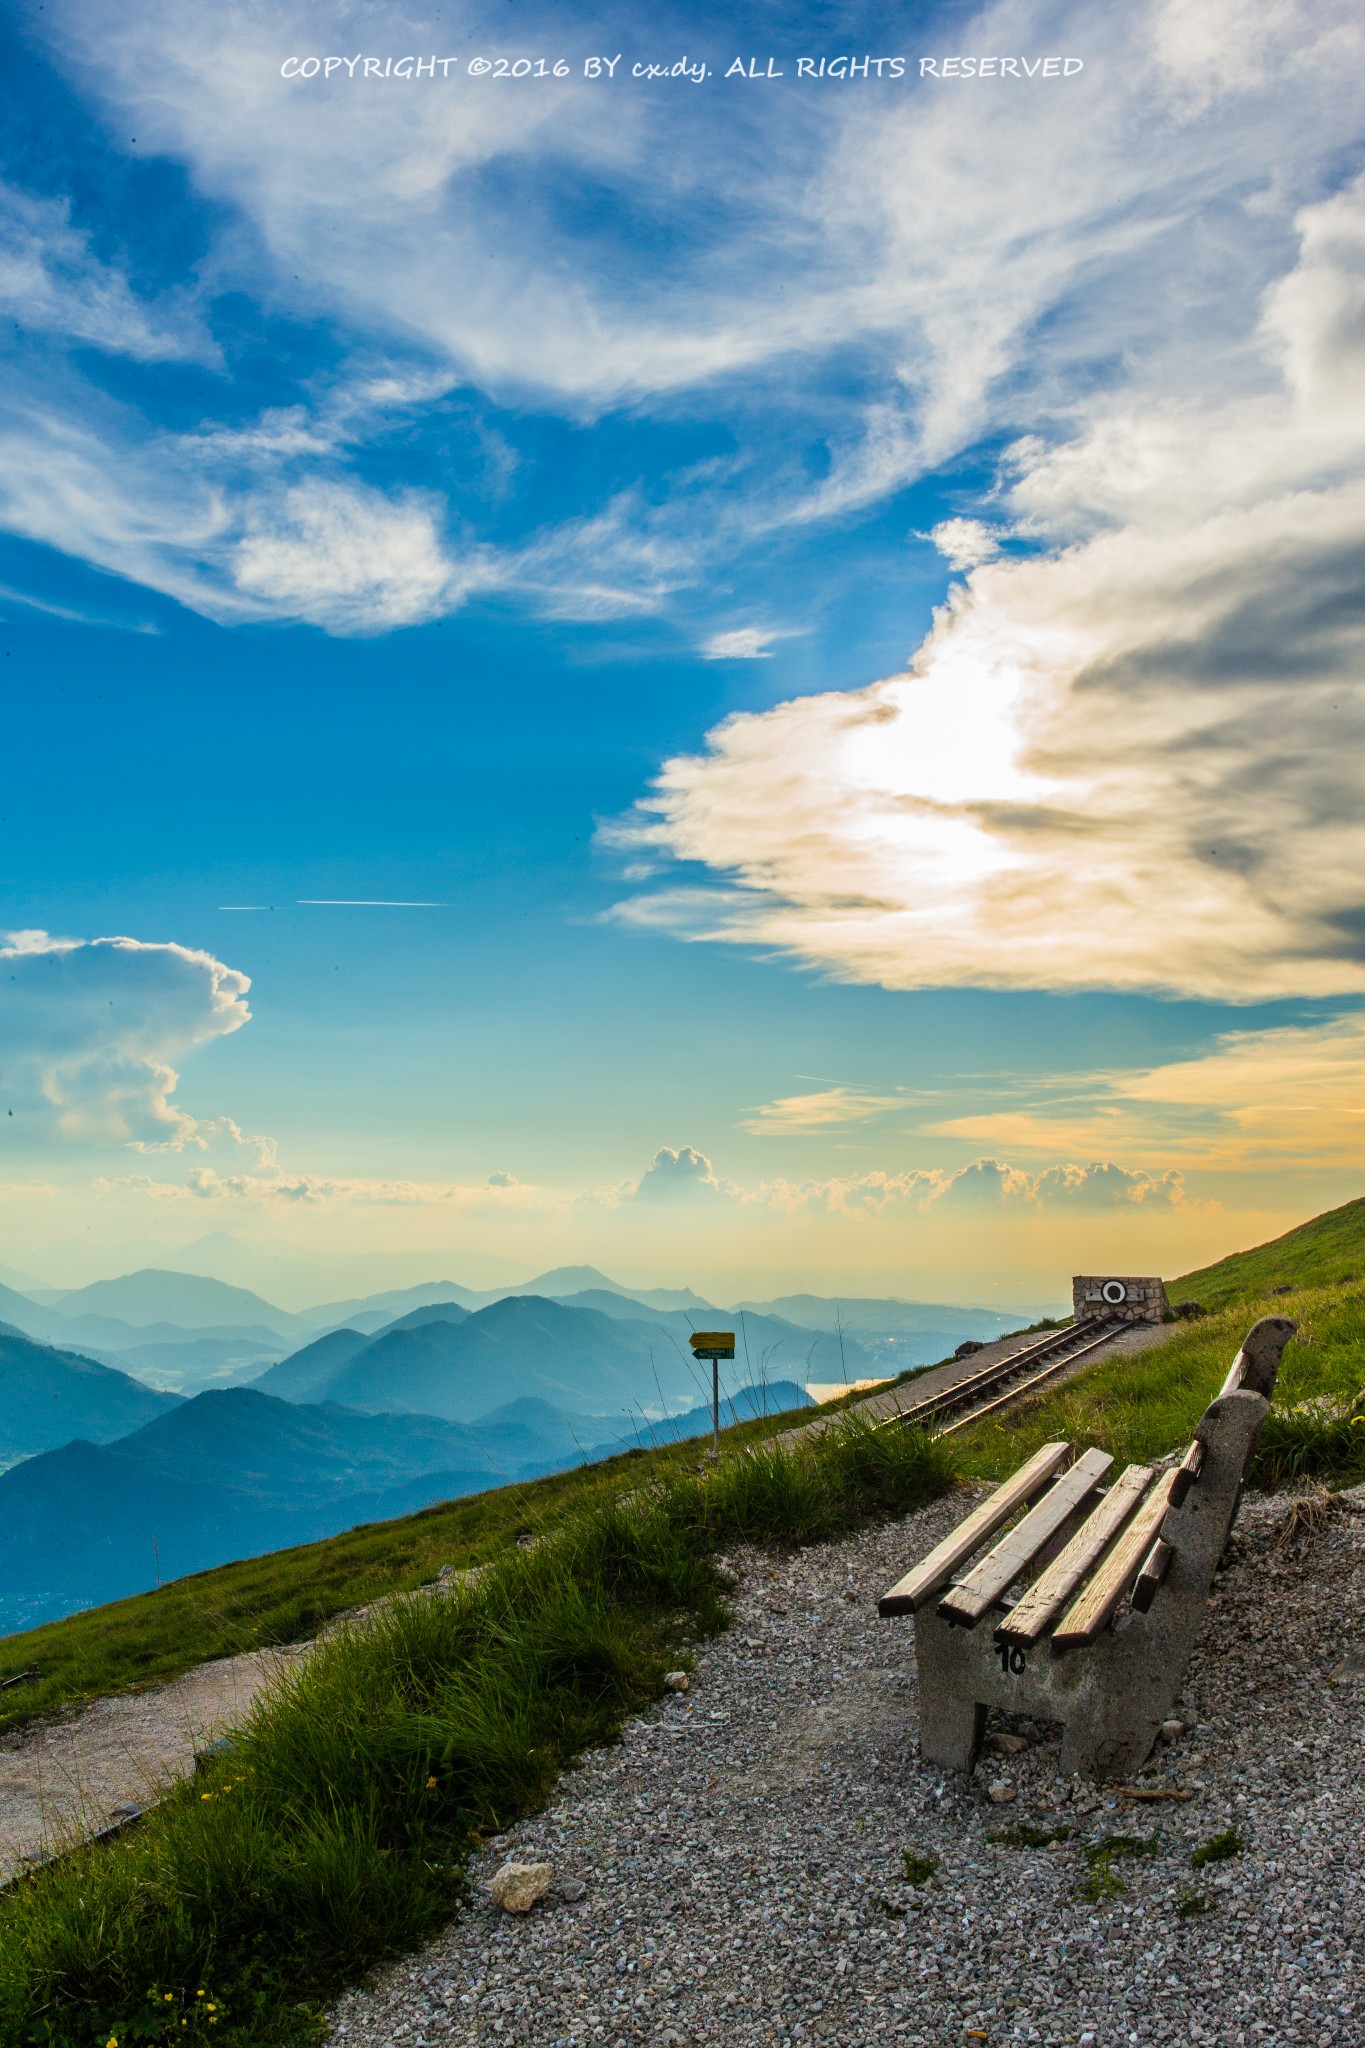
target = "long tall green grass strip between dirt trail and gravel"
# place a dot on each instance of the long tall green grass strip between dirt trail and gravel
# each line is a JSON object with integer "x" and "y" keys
{"x": 339, "y": 1826}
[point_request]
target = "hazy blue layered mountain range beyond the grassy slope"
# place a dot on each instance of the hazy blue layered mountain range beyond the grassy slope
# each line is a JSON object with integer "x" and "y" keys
{"x": 163, "y": 1422}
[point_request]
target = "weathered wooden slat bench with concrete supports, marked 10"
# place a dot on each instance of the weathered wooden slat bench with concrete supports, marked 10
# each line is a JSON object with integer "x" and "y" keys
{"x": 1088, "y": 1609}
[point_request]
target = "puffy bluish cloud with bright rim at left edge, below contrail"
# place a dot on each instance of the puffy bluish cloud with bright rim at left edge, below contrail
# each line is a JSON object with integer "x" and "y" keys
{"x": 91, "y": 1033}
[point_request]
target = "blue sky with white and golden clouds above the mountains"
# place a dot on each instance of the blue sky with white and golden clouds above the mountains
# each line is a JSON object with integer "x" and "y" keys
{"x": 813, "y": 615}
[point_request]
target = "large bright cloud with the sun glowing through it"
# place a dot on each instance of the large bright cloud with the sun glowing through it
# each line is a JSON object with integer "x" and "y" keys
{"x": 1135, "y": 759}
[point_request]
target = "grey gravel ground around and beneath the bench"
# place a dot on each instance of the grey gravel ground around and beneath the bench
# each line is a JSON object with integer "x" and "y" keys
{"x": 742, "y": 1852}
